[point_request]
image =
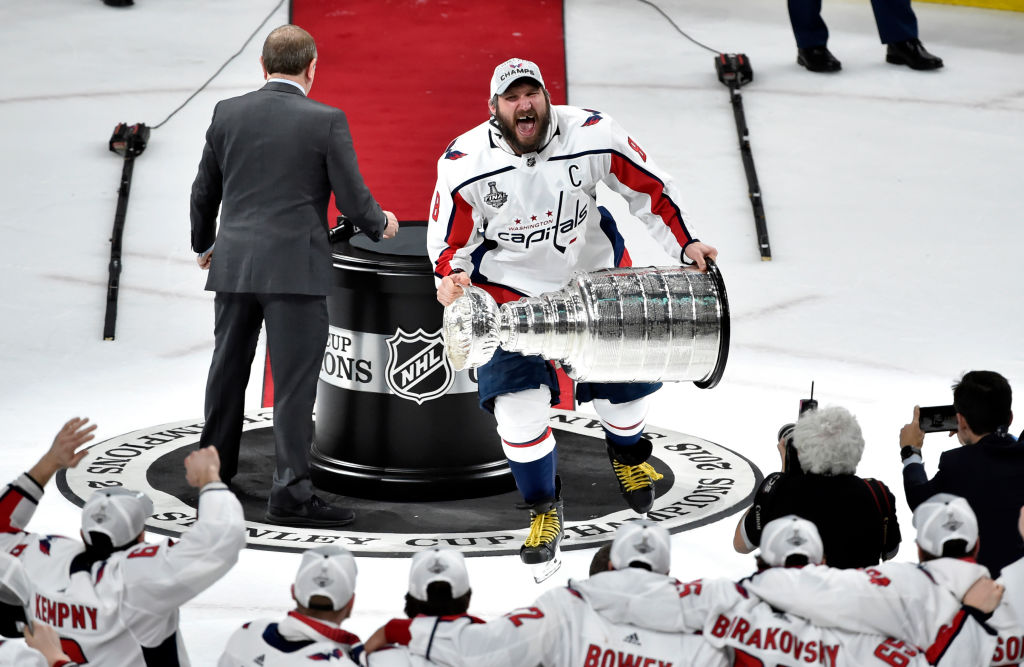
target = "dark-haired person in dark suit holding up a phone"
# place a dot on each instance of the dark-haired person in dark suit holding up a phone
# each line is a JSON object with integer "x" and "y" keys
{"x": 988, "y": 472}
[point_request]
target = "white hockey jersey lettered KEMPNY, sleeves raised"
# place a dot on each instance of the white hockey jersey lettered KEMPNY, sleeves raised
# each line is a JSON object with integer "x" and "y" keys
{"x": 107, "y": 615}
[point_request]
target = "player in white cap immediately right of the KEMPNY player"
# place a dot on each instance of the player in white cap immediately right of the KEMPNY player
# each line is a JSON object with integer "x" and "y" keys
{"x": 324, "y": 593}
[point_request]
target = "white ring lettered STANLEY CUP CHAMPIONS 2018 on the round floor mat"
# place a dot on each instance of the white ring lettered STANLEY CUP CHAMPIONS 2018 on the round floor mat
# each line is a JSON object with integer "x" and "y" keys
{"x": 711, "y": 483}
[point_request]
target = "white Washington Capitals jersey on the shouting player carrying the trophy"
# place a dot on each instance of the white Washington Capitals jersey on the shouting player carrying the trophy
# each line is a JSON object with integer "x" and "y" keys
{"x": 521, "y": 226}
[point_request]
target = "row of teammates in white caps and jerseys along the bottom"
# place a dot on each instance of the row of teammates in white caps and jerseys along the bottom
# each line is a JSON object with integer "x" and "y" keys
{"x": 112, "y": 599}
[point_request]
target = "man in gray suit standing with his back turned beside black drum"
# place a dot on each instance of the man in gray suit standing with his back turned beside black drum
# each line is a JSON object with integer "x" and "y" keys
{"x": 272, "y": 159}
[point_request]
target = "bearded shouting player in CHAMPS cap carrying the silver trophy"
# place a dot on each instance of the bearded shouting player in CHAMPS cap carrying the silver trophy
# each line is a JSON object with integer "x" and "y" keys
{"x": 516, "y": 213}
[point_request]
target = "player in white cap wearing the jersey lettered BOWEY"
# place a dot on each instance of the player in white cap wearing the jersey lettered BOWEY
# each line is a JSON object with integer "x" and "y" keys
{"x": 600, "y": 621}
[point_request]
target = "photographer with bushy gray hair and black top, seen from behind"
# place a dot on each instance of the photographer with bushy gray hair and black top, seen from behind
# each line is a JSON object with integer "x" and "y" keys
{"x": 856, "y": 517}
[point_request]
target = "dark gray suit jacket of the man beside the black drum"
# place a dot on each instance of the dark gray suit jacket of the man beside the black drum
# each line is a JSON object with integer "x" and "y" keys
{"x": 272, "y": 159}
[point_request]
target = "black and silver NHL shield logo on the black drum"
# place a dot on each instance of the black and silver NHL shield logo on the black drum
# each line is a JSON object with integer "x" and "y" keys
{"x": 417, "y": 367}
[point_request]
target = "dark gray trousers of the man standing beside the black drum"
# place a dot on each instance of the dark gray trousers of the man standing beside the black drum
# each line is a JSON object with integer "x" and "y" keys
{"x": 296, "y": 337}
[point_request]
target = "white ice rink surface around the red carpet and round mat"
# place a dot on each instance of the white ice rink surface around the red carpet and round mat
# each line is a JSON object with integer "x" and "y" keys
{"x": 892, "y": 199}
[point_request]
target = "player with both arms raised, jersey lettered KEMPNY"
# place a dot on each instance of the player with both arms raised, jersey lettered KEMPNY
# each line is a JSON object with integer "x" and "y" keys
{"x": 115, "y": 600}
